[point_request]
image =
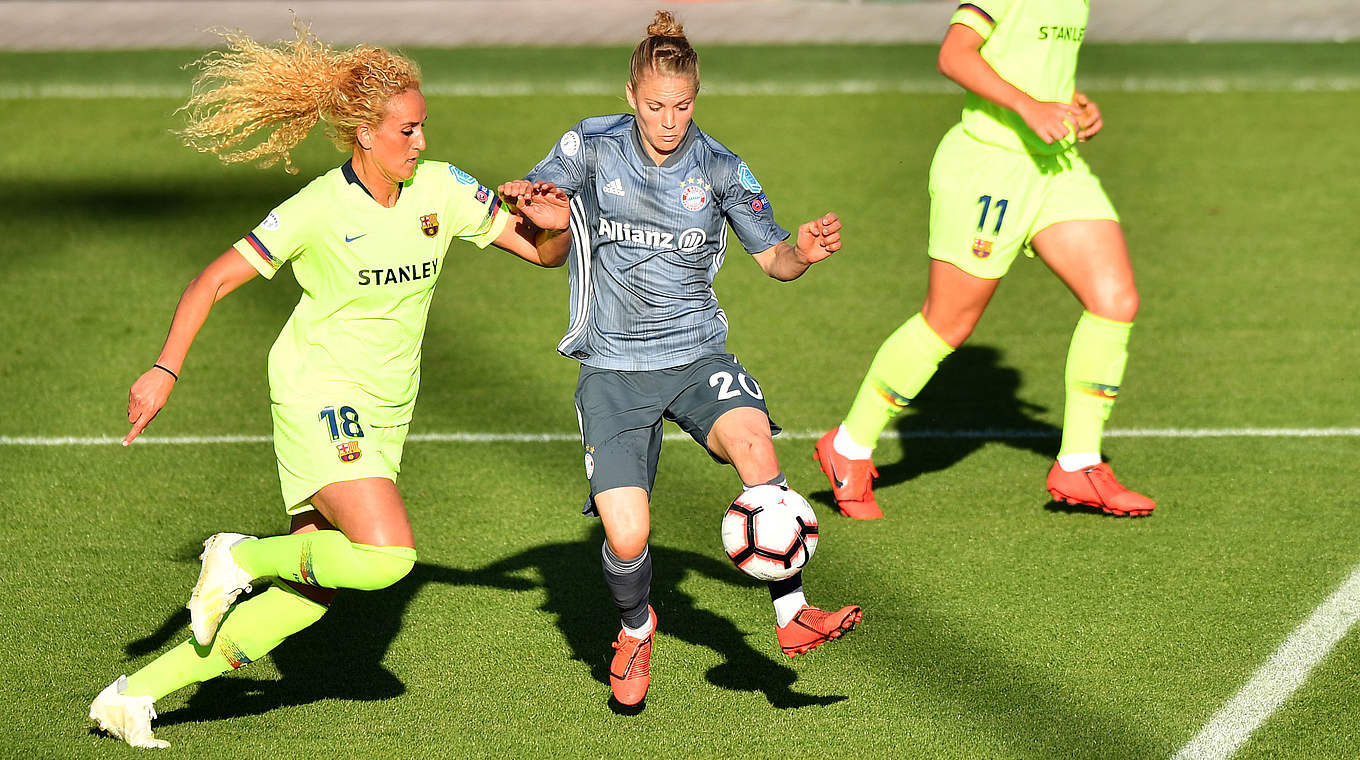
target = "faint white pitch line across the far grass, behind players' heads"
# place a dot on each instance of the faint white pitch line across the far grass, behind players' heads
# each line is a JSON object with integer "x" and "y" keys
{"x": 95, "y": 92}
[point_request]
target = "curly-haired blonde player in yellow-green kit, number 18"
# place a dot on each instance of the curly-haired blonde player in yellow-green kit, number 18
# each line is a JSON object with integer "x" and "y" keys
{"x": 367, "y": 243}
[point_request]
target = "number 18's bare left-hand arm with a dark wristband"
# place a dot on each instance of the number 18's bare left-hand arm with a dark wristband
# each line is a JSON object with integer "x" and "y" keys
{"x": 153, "y": 390}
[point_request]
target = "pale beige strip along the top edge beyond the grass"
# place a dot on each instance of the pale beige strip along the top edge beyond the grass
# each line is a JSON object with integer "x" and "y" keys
{"x": 55, "y": 25}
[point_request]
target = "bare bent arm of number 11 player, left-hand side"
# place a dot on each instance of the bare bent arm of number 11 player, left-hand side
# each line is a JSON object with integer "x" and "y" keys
{"x": 961, "y": 59}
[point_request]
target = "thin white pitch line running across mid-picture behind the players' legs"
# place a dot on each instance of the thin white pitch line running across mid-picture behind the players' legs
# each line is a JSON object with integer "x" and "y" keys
{"x": 788, "y": 434}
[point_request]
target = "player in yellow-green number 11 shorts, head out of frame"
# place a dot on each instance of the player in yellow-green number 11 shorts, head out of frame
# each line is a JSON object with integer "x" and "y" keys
{"x": 1008, "y": 179}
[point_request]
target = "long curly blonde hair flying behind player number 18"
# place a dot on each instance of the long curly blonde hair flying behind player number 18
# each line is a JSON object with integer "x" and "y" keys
{"x": 284, "y": 92}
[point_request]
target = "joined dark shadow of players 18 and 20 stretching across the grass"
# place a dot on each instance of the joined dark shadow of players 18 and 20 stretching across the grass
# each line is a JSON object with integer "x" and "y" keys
{"x": 341, "y": 657}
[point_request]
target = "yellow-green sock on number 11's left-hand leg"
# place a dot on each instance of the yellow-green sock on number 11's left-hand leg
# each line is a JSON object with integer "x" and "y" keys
{"x": 902, "y": 368}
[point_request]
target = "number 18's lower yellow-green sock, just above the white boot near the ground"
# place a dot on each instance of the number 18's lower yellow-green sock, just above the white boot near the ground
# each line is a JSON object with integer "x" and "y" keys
{"x": 248, "y": 633}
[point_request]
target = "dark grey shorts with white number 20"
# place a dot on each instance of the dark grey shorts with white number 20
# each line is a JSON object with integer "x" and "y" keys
{"x": 621, "y": 415}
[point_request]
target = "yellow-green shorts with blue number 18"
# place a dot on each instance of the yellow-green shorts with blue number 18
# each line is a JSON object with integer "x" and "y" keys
{"x": 324, "y": 443}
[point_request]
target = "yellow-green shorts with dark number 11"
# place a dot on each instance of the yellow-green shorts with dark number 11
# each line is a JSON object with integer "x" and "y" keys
{"x": 988, "y": 203}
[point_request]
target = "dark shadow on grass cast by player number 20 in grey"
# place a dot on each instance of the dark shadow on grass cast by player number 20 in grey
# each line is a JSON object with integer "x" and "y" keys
{"x": 577, "y": 596}
